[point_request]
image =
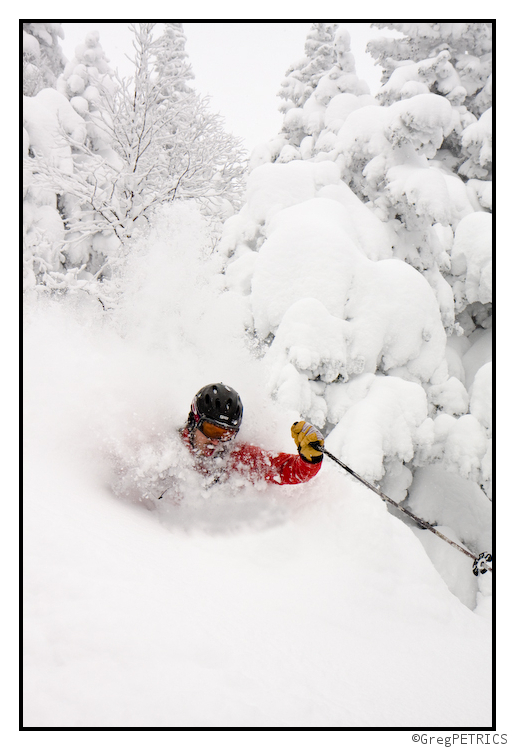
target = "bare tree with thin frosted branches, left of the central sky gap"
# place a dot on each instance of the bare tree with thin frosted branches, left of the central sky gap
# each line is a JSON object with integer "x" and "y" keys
{"x": 150, "y": 146}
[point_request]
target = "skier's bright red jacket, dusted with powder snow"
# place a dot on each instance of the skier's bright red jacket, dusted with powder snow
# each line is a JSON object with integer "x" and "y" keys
{"x": 255, "y": 463}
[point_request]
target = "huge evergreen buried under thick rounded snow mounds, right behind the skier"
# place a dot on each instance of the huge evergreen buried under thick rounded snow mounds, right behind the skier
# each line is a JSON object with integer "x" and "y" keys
{"x": 345, "y": 254}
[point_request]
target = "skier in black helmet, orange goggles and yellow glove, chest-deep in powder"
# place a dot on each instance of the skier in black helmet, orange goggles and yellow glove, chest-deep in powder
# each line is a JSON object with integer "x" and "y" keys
{"x": 210, "y": 431}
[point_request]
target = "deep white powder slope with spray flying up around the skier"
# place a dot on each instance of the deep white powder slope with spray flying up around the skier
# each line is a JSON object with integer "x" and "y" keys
{"x": 301, "y": 607}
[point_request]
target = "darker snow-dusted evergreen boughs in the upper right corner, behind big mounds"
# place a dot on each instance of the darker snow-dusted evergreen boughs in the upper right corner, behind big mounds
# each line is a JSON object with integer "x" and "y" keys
{"x": 453, "y": 60}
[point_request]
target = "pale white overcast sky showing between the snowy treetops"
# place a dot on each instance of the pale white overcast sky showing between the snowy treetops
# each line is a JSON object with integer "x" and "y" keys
{"x": 240, "y": 65}
